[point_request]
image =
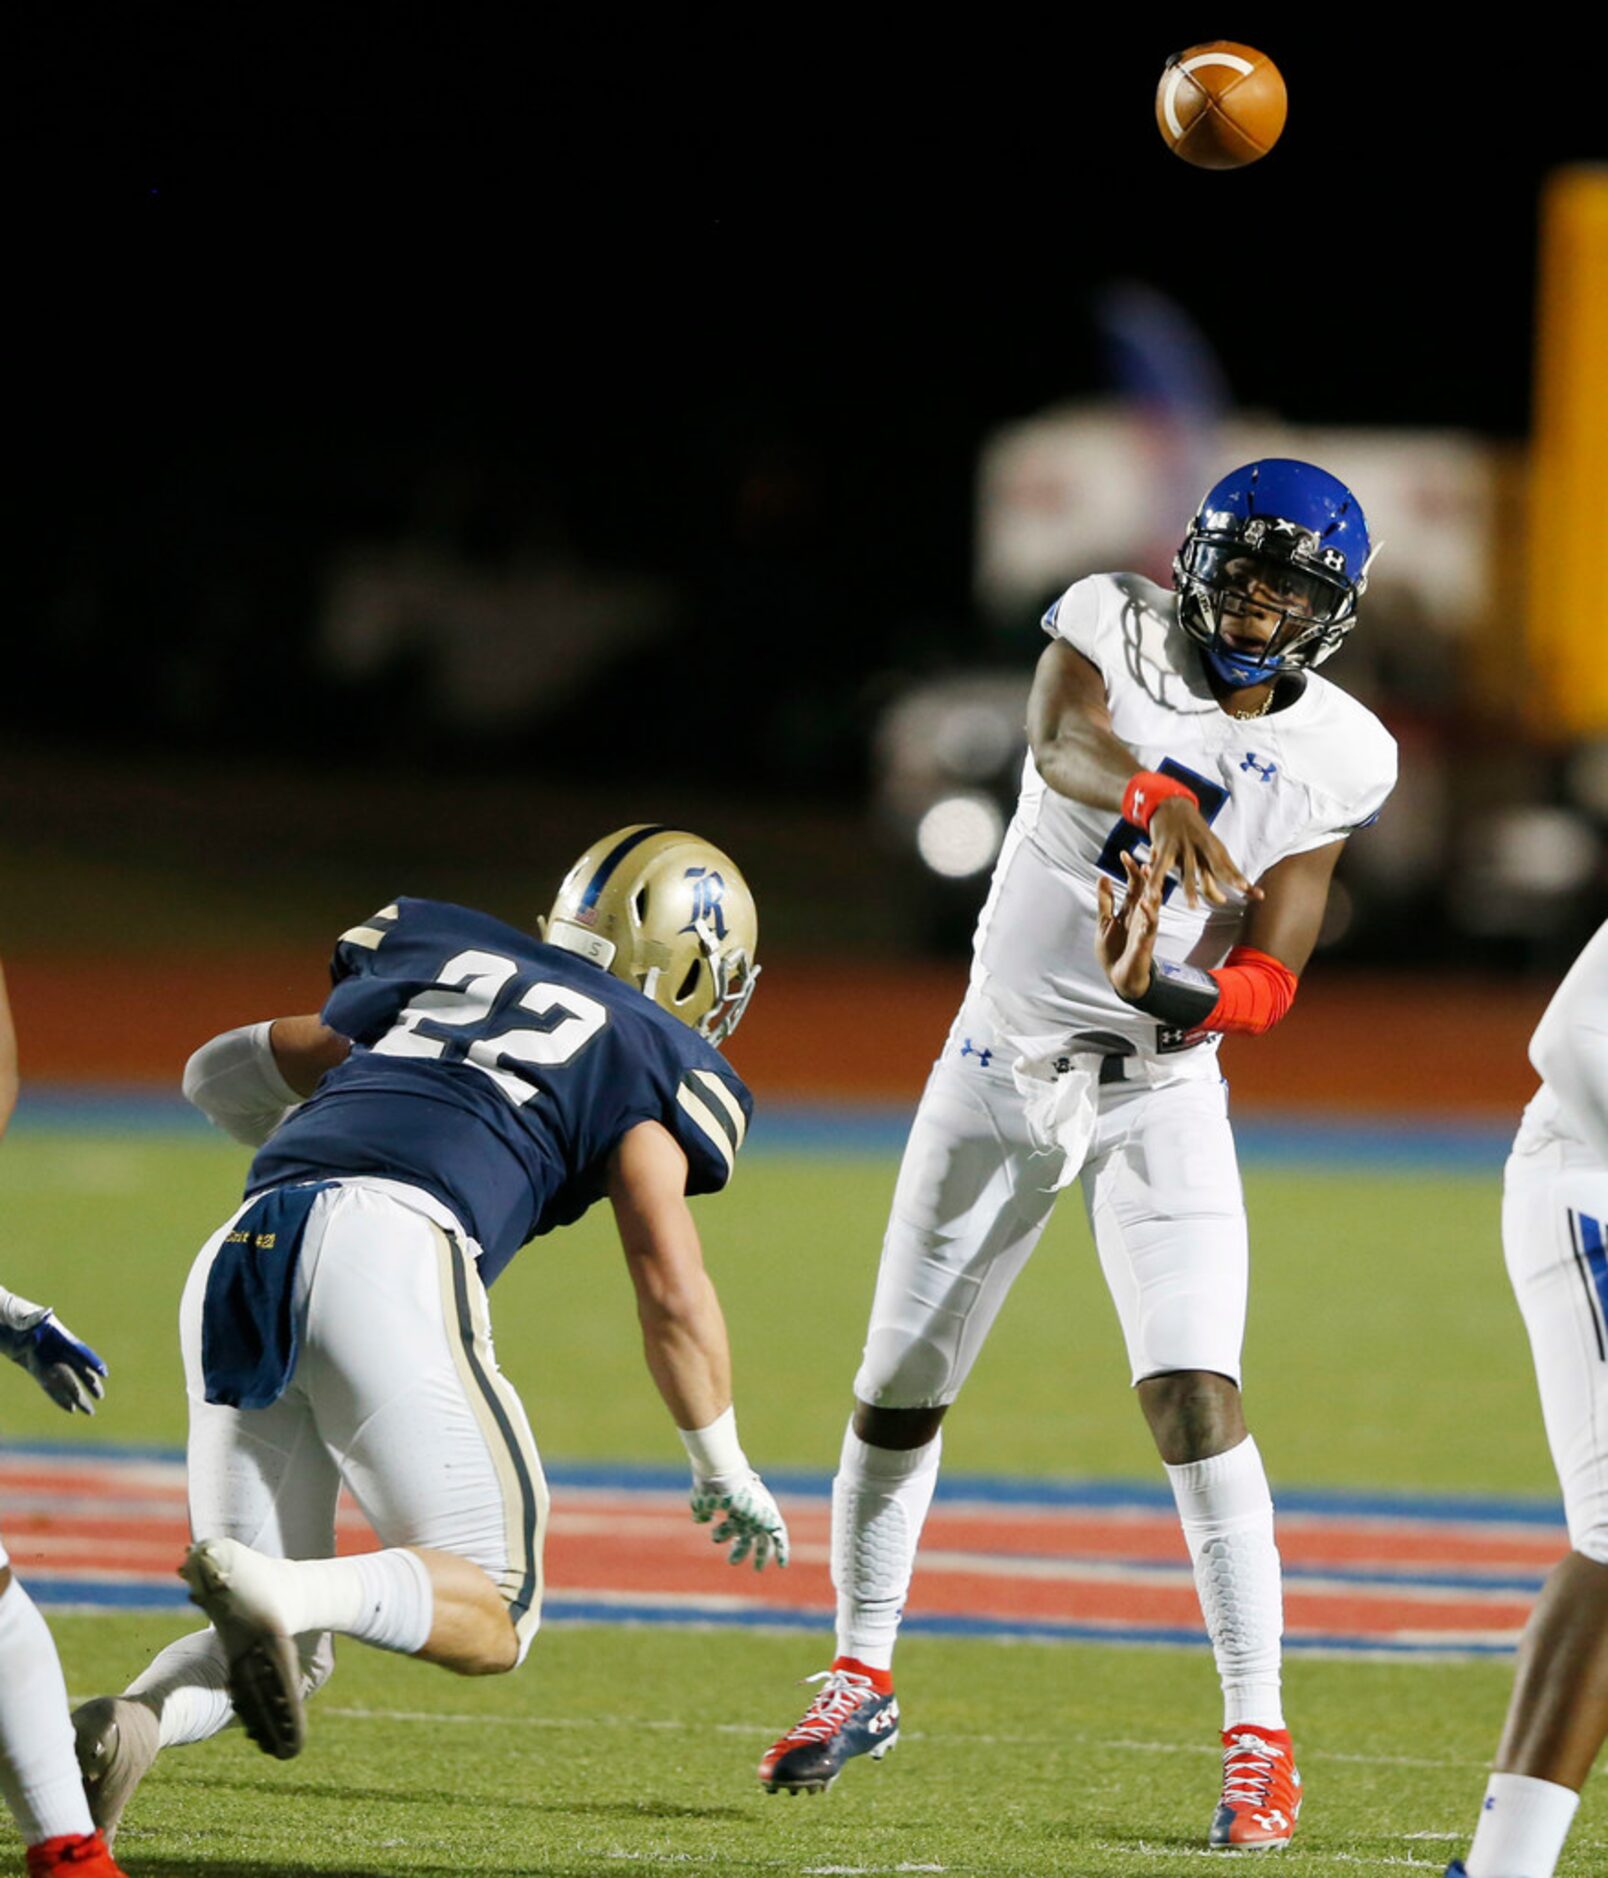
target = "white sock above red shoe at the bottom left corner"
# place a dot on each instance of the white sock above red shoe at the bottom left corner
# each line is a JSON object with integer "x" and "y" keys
{"x": 39, "y": 1766}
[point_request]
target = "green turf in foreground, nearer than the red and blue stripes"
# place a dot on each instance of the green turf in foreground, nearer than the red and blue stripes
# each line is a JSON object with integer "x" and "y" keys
{"x": 634, "y": 1749}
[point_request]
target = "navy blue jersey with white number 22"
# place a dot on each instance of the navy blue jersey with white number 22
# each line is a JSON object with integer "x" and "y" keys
{"x": 499, "y": 1073}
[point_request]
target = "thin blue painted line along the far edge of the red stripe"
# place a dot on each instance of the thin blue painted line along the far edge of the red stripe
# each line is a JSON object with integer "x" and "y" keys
{"x": 985, "y": 1490}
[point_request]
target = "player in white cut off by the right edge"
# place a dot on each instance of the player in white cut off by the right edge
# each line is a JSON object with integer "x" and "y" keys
{"x": 1556, "y": 1244}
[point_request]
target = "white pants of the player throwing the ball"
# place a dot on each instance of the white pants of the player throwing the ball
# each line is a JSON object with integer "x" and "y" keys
{"x": 1164, "y": 1197}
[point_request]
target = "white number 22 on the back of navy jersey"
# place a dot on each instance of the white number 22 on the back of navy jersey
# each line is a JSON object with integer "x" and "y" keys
{"x": 478, "y": 1015}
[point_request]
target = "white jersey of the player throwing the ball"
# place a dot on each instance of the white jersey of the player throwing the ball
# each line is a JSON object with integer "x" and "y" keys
{"x": 1271, "y": 788}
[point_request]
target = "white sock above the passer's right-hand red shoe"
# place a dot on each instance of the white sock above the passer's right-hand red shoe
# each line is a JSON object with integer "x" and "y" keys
{"x": 1228, "y": 1516}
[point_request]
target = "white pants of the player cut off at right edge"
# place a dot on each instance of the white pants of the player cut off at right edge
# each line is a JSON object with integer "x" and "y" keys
{"x": 1556, "y": 1246}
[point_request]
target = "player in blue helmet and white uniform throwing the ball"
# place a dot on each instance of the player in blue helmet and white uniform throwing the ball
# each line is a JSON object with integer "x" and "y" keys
{"x": 1184, "y": 748}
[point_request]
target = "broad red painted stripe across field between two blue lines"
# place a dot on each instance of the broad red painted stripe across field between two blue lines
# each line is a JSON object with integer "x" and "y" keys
{"x": 643, "y": 1547}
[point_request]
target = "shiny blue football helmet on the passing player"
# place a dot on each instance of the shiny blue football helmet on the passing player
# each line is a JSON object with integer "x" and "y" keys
{"x": 1275, "y": 536}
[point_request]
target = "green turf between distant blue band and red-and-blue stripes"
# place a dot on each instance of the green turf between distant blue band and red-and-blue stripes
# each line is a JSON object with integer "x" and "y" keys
{"x": 1384, "y": 1349}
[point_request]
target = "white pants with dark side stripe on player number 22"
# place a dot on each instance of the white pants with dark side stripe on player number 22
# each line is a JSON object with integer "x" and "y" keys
{"x": 395, "y": 1394}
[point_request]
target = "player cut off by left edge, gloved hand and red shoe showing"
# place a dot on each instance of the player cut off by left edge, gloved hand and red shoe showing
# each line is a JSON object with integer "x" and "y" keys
{"x": 39, "y": 1770}
